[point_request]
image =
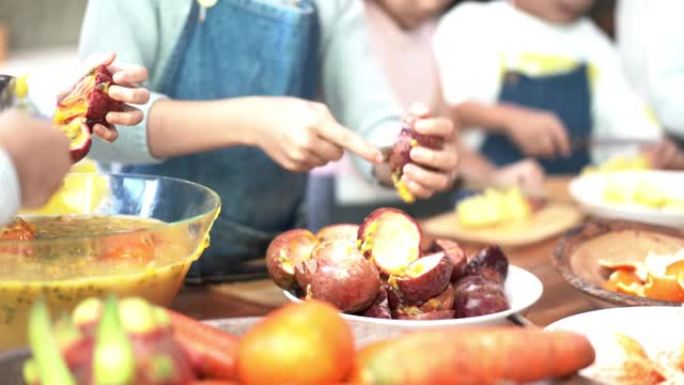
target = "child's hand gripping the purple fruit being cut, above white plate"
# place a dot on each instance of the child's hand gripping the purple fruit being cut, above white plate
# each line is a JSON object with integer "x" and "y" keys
{"x": 431, "y": 171}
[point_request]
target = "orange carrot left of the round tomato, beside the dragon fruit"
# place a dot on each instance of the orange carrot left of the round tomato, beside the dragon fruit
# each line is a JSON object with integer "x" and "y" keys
{"x": 212, "y": 351}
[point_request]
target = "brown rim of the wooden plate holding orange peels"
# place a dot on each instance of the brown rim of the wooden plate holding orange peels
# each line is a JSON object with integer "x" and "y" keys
{"x": 592, "y": 229}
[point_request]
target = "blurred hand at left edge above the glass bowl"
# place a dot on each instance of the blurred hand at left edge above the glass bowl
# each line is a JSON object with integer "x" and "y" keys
{"x": 34, "y": 156}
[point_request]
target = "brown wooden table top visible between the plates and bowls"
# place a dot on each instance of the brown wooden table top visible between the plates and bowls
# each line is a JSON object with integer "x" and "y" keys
{"x": 259, "y": 297}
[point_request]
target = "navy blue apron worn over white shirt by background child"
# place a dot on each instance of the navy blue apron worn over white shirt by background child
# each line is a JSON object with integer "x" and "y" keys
{"x": 567, "y": 95}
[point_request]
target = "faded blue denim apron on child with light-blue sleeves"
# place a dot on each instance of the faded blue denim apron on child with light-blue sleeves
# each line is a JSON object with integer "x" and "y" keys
{"x": 240, "y": 48}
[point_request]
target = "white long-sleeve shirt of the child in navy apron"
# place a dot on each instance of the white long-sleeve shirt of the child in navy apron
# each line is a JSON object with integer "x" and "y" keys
{"x": 475, "y": 43}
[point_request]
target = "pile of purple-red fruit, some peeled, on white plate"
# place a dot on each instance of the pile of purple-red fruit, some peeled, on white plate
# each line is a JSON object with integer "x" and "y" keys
{"x": 378, "y": 269}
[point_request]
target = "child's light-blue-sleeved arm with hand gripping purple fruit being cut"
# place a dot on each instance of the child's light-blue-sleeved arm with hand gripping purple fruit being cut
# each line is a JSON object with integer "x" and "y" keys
{"x": 359, "y": 95}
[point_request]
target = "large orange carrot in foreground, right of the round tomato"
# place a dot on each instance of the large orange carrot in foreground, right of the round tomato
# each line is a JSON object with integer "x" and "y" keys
{"x": 481, "y": 356}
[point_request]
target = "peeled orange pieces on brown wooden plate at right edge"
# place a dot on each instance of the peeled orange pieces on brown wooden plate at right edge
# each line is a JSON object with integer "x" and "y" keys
{"x": 659, "y": 277}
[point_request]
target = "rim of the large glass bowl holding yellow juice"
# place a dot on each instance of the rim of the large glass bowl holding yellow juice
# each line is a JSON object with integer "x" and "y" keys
{"x": 215, "y": 207}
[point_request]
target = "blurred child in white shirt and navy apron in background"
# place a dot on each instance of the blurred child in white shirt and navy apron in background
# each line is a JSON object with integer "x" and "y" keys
{"x": 540, "y": 79}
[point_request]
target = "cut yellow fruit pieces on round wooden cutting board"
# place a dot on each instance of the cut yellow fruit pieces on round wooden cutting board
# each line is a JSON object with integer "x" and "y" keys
{"x": 494, "y": 208}
